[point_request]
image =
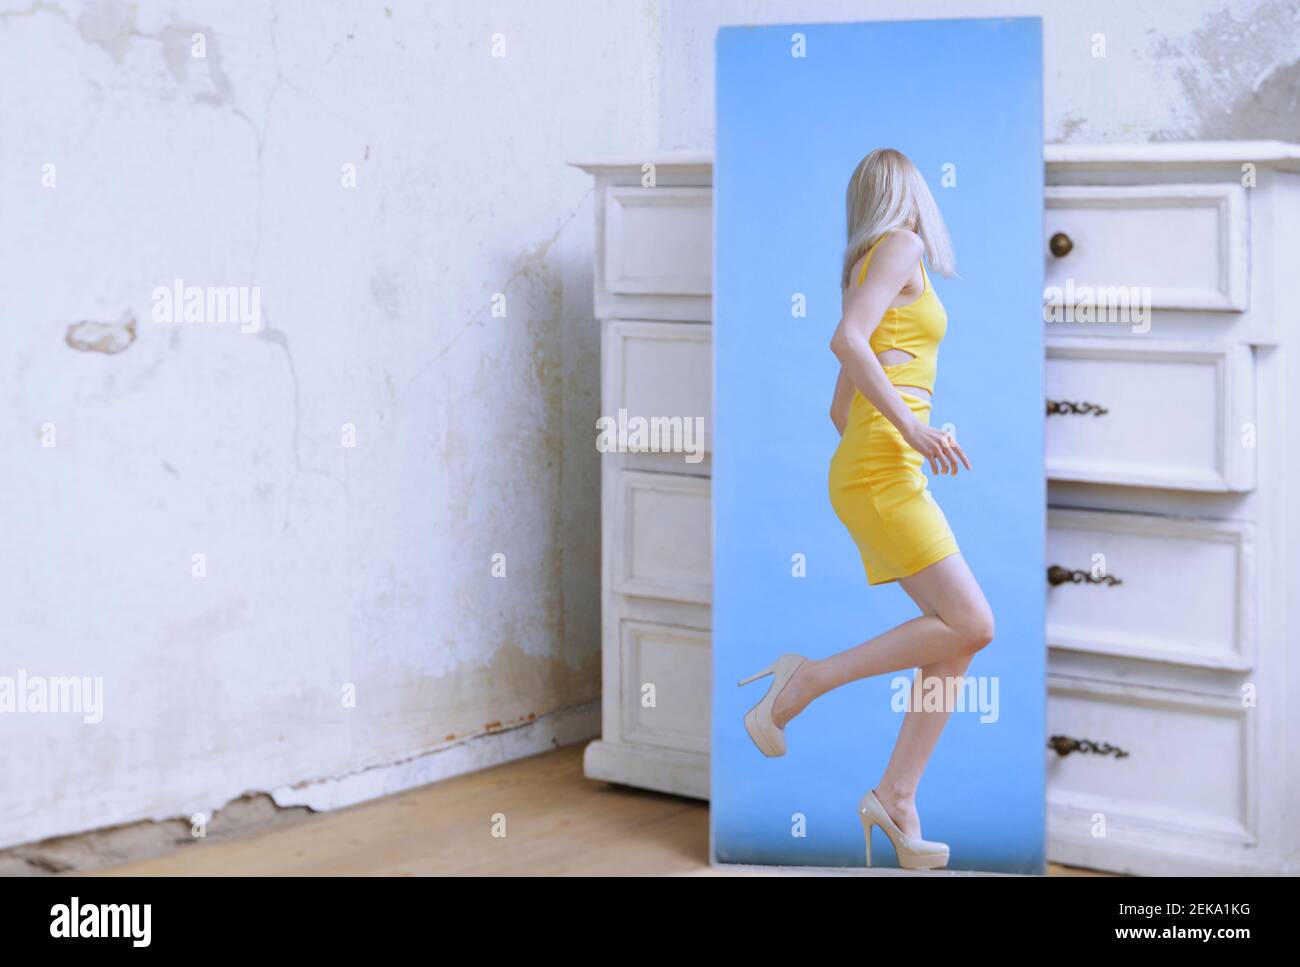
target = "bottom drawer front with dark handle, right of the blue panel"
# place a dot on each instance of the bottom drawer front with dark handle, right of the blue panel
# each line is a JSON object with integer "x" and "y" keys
{"x": 1188, "y": 770}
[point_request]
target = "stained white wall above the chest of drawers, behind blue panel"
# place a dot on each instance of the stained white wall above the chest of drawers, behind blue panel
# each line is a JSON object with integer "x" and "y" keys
{"x": 1197, "y": 70}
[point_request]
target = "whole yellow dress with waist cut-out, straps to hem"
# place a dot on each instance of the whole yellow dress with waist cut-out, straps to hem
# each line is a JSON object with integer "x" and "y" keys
{"x": 878, "y": 489}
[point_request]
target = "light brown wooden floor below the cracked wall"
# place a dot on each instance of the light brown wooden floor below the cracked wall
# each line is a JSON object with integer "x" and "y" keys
{"x": 557, "y": 823}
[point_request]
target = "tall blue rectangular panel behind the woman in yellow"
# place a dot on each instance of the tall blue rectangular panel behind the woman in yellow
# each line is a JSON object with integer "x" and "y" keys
{"x": 791, "y": 131}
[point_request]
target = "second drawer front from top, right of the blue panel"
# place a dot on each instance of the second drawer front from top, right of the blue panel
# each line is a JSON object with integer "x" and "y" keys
{"x": 1172, "y": 415}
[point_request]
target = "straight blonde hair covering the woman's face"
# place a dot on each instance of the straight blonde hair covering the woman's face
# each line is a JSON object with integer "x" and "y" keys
{"x": 887, "y": 193}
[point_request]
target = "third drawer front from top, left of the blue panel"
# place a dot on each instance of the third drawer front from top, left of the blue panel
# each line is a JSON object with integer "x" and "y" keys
{"x": 668, "y": 526}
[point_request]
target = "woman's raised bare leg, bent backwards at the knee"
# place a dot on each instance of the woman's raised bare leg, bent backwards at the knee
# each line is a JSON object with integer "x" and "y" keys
{"x": 961, "y": 626}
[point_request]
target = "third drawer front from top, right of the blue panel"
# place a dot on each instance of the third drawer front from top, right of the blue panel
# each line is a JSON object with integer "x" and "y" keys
{"x": 1185, "y": 592}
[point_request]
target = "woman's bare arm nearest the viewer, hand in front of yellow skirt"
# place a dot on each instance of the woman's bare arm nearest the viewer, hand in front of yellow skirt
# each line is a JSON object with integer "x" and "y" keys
{"x": 866, "y": 305}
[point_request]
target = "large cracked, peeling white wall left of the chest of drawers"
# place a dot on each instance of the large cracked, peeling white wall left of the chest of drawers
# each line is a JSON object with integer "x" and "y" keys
{"x": 129, "y": 163}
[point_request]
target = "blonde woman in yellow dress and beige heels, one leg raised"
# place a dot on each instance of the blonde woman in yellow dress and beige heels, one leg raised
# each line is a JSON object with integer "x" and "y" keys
{"x": 887, "y": 344}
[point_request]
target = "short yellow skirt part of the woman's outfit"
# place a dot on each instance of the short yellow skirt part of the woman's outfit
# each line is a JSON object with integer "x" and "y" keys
{"x": 881, "y": 495}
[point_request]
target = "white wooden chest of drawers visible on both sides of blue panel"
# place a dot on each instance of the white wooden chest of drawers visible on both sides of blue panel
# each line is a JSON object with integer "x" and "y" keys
{"x": 1173, "y": 574}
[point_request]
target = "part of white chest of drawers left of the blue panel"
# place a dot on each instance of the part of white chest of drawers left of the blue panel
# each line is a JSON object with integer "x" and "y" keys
{"x": 653, "y": 301}
